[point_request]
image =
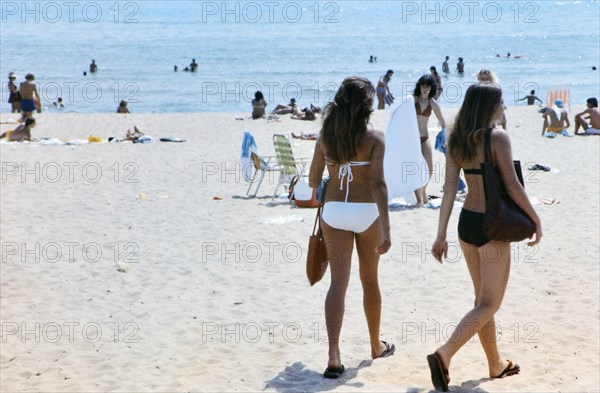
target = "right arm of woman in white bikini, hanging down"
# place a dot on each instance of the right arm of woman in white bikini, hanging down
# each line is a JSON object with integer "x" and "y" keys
{"x": 379, "y": 188}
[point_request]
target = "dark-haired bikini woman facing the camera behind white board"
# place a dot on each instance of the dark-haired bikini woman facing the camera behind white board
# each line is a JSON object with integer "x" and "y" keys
{"x": 424, "y": 94}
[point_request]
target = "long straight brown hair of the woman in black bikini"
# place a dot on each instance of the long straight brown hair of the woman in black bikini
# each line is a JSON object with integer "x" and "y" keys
{"x": 481, "y": 104}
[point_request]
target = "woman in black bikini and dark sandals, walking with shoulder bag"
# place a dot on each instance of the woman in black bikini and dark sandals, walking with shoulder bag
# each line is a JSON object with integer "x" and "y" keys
{"x": 488, "y": 260}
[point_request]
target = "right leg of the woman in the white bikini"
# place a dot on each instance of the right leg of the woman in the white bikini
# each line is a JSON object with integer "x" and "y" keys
{"x": 369, "y": 261}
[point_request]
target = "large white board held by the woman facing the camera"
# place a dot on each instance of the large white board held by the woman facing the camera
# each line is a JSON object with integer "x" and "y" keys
{"x": 404, "y": 165}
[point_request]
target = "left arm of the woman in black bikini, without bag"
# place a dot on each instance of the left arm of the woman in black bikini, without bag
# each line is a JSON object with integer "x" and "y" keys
{"x": 440, "y": 246}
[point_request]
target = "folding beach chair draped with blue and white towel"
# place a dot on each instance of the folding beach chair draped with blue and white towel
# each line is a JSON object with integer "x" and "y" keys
{"x": 254, "y": 165}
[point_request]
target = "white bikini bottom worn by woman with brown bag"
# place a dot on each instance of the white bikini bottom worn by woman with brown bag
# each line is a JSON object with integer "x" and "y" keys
{"x": 349, "y": 216}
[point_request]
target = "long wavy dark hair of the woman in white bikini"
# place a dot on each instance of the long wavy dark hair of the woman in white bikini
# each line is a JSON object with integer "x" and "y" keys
{"x": 345, "y": 119}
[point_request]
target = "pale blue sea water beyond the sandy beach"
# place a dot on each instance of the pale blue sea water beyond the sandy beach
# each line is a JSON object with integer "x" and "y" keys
{"x": 289, "y": 49}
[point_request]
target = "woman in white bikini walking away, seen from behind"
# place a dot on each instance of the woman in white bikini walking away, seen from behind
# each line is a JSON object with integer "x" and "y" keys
{"x": 353, "y": 153}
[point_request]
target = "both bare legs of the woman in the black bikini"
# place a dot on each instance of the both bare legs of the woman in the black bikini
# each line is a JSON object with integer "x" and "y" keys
{"x": 491, "y": 263}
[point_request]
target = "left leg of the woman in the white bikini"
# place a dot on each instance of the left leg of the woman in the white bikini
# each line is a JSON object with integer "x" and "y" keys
{"x": 339, "y": 250}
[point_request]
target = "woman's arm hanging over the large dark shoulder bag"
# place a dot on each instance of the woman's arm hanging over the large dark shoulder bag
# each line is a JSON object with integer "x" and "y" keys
{"x": 502, "y": 152}
